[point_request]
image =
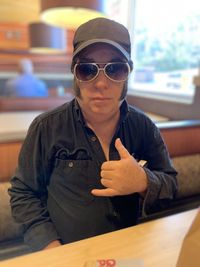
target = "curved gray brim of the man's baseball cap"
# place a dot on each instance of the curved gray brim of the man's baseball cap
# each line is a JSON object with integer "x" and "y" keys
{"x": 106, "y": 41}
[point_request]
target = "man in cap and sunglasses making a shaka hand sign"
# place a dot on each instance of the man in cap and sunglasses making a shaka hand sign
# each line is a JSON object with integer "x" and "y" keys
{"x": 80, "y": 172}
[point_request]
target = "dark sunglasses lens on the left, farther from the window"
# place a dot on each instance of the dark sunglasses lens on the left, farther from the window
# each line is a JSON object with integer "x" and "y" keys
{"x": 85, "y": 71}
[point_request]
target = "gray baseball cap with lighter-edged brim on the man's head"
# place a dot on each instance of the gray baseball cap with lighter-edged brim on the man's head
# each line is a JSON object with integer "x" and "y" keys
{"x": 103, "y": 30}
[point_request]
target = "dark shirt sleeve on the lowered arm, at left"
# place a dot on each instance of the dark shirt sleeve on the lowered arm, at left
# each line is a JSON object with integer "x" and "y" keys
{"x": 28, "y": 191}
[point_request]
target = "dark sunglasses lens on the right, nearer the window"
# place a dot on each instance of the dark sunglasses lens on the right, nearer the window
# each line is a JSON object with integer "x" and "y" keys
{"x": 117, "y": 71}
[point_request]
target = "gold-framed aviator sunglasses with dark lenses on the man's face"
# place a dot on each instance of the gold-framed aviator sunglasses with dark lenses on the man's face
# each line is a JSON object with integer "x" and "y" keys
{"x": 115, "y": 71}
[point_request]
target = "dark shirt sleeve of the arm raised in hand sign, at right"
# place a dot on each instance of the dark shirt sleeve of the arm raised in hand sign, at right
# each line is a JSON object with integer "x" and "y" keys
{"x": 161, "y": 175}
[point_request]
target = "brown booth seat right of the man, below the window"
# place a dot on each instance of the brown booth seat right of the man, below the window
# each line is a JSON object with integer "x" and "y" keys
{"x": 183, "y": 141}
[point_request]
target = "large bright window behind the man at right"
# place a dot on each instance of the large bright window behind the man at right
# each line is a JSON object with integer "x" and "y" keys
{"x": 166, "y": 46}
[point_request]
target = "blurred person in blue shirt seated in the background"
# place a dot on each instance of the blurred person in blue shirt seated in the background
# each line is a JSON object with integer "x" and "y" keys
{"x": 25, "y": 84}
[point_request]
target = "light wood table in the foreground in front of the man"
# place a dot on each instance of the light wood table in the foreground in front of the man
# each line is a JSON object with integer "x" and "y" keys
{"x": 156, "y": 242}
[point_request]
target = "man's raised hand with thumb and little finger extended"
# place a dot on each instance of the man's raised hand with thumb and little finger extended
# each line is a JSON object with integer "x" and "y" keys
{"x": 121, "y": 177}
